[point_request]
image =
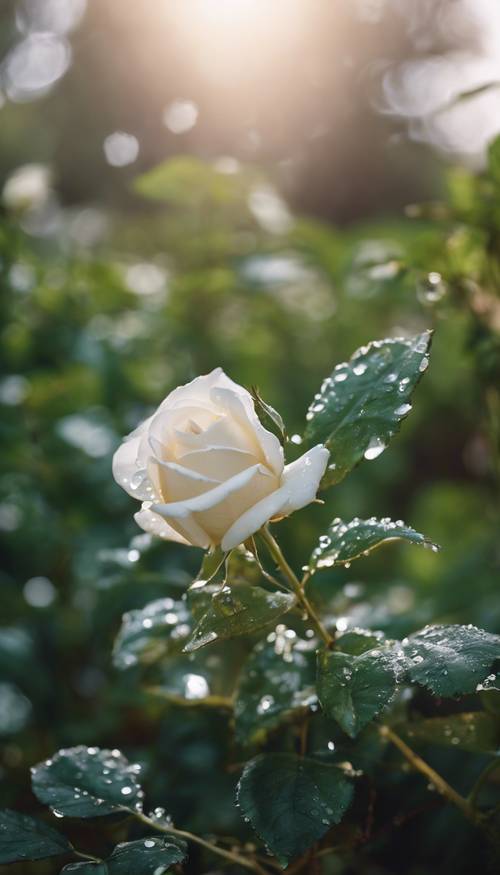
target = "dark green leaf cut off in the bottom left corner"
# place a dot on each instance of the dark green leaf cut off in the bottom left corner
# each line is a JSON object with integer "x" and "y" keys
{"x": 26, "y": 838}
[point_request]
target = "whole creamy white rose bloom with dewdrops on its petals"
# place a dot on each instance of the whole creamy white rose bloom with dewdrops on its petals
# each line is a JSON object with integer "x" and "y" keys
{"x": 207, "y": 471}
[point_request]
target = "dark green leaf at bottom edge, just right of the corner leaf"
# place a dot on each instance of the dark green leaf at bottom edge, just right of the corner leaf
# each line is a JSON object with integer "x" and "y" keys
{"x": 148, "y": 856}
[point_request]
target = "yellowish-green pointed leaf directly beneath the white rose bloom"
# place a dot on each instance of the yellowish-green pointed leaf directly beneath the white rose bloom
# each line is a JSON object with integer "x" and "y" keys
{"x": 238, "y": 610}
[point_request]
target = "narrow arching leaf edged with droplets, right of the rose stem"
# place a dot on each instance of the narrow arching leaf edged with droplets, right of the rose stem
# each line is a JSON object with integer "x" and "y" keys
{"x": 344, "y": 542}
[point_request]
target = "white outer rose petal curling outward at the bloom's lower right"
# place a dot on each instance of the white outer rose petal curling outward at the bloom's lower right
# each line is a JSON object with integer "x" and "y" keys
{"x": 299, "y": 486}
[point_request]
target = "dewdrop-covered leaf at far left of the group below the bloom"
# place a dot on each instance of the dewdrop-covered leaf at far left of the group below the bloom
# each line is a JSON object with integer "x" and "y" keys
{"x": 150, "y": 633}
